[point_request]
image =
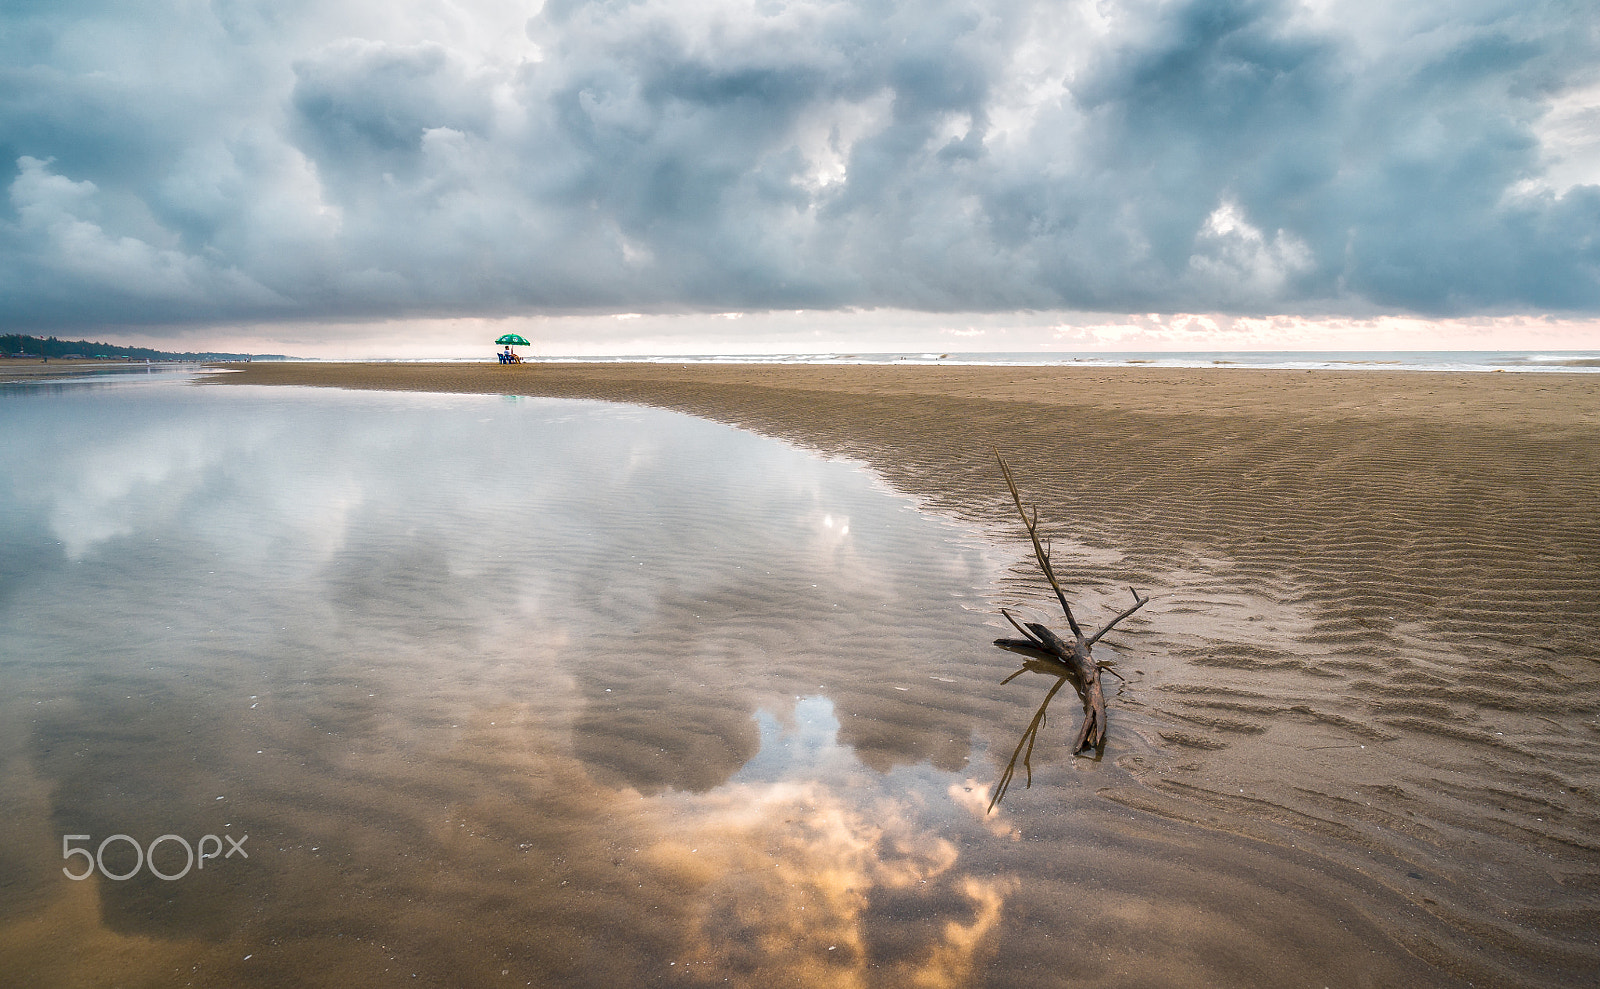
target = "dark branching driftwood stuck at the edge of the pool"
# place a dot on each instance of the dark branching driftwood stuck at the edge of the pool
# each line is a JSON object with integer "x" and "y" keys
{"x": 1050, "y": 654}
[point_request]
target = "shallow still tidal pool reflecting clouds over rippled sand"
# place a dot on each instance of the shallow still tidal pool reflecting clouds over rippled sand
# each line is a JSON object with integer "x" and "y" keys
{"x": 566, "y": 694}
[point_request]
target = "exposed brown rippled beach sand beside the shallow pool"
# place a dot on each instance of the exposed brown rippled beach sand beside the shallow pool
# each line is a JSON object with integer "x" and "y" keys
{"x": 1375, "y": 612}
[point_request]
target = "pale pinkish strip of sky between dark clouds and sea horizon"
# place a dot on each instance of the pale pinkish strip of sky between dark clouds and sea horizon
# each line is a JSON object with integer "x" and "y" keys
{"x": 886, "y": 332}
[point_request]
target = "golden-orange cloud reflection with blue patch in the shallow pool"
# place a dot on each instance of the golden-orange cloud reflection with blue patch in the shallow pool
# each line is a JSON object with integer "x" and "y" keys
{"x": 818, "y": 870}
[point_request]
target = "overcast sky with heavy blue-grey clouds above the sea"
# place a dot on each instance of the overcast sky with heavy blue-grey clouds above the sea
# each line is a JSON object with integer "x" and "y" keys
{"x": 311, "y": 170}
